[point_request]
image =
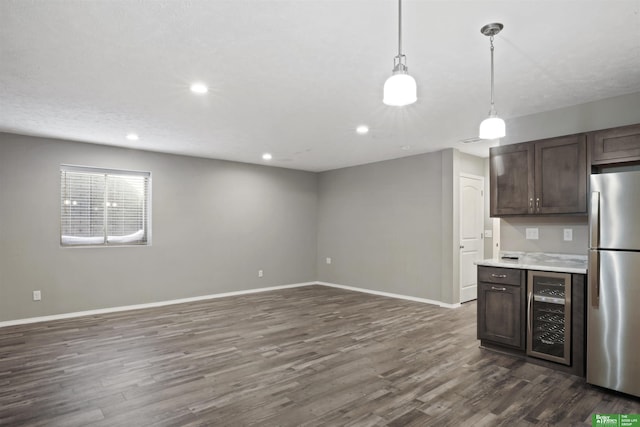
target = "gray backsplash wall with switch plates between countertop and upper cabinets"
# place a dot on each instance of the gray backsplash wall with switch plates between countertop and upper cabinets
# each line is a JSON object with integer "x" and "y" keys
{"x": 550, "y": 234}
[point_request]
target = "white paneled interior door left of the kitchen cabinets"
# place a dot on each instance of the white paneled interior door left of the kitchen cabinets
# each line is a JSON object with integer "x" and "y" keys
{"x": 471, "y": 233}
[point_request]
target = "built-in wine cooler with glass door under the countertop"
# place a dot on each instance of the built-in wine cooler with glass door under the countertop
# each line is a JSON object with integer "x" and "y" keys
{"x": 549, "y": 316}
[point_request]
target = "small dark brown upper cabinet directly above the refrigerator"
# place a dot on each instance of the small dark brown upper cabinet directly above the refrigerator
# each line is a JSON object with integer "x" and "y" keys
{"x": 615, "y": 146}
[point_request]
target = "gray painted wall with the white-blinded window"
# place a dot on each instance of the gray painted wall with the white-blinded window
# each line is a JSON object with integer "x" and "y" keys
{"x": 215, "y": 224}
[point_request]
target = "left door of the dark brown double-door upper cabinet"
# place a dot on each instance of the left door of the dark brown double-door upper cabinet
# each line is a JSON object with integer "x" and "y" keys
{"x": 511, "y": 179}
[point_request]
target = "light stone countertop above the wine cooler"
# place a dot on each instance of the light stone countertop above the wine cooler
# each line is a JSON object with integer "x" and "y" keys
{"x": 562, "y": 263}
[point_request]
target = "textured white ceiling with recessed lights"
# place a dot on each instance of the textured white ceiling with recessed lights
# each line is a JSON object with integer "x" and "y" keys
{"x": 295, "y": 78}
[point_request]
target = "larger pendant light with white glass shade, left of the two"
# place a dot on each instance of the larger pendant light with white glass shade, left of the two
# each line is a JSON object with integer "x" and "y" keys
{"x": 400, "y": 89}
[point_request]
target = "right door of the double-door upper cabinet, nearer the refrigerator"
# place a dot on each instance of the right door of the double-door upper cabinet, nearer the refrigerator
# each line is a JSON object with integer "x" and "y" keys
{"x": 561, "y": 175}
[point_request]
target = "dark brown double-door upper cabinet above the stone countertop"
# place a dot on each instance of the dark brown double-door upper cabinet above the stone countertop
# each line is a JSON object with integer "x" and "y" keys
{"x": 540, "y": 177}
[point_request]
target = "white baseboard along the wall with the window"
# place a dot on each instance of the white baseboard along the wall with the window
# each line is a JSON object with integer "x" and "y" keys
{"x": 147, "y": 305}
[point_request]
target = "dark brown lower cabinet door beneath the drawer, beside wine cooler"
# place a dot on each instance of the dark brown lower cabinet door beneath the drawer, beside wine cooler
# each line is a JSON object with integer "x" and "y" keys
{"x": 500, "y": 314}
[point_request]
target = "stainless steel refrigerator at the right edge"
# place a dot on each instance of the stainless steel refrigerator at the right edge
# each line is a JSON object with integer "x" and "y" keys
{"x": 613, "y": 315}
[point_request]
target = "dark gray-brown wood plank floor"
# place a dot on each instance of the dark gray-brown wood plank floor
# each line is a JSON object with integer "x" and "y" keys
{"x": 311, "y": 356}
